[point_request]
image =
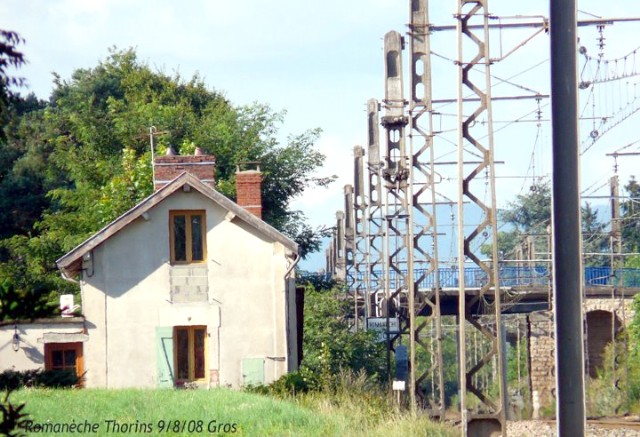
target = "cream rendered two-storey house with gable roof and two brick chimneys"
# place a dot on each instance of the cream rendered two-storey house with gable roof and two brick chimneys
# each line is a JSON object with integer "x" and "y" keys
{"x": 187, "y": 287}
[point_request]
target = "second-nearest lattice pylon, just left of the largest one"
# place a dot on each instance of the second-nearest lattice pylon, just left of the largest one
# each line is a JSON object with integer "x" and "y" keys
{"x": 423, "y": 206}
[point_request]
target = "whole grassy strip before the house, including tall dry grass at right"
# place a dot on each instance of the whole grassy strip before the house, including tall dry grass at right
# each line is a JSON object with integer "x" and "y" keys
{"x": 228, "y": 412}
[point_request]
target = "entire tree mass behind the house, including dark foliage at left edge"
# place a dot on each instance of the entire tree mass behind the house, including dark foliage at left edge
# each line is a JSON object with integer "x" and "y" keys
{"x": 75, "y": 163}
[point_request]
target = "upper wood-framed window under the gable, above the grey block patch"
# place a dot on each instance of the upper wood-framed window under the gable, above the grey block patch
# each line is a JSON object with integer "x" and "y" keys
{"x": 187, "y": 233}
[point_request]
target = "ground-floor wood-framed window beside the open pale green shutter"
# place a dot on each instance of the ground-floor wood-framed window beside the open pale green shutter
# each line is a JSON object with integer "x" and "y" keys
{"x": 190, "y": 352}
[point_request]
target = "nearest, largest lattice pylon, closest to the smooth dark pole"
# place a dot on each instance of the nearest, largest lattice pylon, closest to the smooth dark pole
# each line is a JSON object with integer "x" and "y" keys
{"x": 477, "y": 138}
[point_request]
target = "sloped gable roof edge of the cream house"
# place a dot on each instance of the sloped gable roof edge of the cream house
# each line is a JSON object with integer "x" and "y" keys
{"x": 71, "y": 263}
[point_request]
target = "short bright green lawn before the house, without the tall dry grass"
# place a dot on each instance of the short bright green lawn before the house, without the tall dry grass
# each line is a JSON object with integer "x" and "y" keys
{"x": 155, "y": 411}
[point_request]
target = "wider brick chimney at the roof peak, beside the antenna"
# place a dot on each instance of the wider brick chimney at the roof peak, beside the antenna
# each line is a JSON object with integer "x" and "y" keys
{"x": 170, "y": 166}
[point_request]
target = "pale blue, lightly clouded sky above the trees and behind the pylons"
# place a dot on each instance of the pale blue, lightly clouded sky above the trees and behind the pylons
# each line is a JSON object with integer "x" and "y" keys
{"x": 322, "y": 61}
